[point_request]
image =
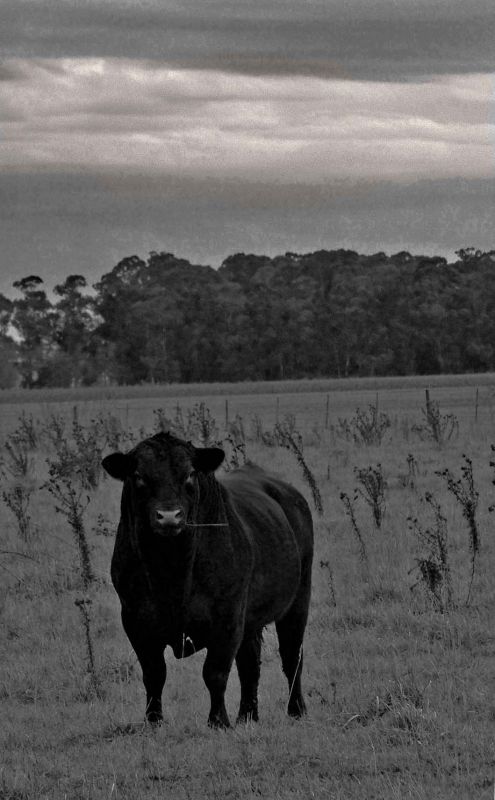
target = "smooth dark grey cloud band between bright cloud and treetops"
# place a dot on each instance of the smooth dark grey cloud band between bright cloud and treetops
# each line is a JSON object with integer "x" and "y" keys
{"x": 60, "y": 224}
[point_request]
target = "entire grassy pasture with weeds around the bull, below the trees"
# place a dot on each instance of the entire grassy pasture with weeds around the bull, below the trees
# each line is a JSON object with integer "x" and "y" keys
{"x": 399, "y": 673}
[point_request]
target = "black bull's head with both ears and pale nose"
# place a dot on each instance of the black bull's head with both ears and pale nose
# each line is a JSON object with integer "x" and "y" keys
{"x": 162, "y": 475}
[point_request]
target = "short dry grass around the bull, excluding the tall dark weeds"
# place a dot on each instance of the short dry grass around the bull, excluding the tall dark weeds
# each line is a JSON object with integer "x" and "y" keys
{"x": 400, "y": 696}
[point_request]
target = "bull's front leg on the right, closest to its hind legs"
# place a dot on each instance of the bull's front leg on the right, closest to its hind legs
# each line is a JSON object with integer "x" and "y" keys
{"x": 222, "y": 650}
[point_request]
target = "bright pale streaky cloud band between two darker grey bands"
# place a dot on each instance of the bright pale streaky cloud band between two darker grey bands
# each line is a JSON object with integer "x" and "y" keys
{"x": 128, "y": 115}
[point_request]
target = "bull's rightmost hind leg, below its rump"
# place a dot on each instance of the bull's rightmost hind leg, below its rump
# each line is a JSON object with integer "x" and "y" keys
{"x": 290, "y": 631}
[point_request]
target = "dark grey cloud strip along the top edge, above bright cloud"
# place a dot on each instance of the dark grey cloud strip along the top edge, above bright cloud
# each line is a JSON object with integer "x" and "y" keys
{"x": 380, "y": 39}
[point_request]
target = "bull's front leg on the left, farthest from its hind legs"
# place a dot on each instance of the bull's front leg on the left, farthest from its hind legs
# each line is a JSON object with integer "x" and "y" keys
{"x": 149, "y": 649}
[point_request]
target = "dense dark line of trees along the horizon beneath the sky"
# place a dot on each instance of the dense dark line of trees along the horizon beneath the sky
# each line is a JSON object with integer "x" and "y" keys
{"x": 328, "y": 313}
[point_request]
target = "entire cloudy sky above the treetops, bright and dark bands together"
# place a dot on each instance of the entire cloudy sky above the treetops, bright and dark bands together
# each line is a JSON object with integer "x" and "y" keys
{"x": 209, "y": 127}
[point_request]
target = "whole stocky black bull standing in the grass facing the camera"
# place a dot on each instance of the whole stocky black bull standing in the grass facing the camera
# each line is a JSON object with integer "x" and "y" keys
{"x": 206, "y": 563}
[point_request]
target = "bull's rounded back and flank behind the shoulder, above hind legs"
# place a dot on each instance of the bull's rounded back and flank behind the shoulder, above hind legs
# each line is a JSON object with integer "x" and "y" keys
{"x": 278, "y": 522}
